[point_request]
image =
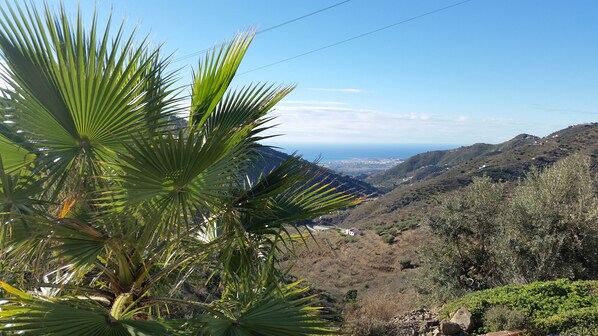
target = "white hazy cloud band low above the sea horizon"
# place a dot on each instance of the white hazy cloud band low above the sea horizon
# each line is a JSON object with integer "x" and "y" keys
{"x": 321, "y": 123}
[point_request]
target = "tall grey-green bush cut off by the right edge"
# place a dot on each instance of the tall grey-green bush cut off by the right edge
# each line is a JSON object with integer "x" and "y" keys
{"x": 552, "y": 223}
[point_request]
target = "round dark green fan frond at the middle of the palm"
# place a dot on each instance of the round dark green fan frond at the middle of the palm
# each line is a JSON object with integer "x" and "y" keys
{"x": 180, "y": 176}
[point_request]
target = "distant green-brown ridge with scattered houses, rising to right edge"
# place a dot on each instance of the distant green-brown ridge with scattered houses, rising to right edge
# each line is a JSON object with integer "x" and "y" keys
{"x": 508, "y": 161}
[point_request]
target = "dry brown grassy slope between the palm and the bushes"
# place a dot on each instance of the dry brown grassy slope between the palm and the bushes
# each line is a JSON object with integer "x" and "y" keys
{"x": 338, "y": 263}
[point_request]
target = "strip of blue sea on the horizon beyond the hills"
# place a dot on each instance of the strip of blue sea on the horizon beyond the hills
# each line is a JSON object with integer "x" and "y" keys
{"x": 346, "y": 152}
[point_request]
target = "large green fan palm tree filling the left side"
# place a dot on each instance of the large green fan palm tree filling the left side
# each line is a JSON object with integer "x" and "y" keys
{"x": 114, "y": 207}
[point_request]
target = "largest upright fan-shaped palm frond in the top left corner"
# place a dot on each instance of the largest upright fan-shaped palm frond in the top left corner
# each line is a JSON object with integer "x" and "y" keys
{"x": 77, "y": 92}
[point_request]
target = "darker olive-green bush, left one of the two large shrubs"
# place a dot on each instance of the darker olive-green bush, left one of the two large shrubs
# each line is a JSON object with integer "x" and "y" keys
{"x": 465, "y": 255}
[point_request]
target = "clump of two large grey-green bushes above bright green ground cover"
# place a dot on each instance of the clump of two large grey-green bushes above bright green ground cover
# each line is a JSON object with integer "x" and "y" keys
{"x": 545, "y": 230}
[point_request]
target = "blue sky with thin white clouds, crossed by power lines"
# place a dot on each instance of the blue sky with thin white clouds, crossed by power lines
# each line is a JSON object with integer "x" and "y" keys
{"x": 483, "y": 71}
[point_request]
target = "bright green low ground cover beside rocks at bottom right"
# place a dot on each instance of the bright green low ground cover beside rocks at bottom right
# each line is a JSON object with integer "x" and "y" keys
{"x": 541, "y": 307}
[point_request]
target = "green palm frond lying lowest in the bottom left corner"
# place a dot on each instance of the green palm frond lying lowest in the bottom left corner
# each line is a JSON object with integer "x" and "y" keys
{"x": 22, "y": 312}
